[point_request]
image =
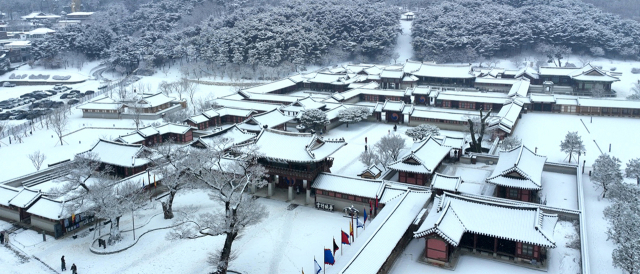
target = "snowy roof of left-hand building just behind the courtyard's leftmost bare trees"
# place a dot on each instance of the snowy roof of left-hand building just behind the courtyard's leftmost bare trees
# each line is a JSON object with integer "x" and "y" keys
{"x": 118, "y": 154}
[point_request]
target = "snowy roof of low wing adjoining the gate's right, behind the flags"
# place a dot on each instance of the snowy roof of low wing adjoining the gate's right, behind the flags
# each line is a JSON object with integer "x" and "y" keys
{"x": 348, "y": 185}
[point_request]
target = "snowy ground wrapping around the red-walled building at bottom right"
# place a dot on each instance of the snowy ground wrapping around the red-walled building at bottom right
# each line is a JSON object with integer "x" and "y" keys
{"x": 562, "y": 260}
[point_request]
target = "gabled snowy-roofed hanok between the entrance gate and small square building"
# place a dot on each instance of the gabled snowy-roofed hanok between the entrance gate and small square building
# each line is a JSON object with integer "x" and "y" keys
{"x": 421, "y": 162}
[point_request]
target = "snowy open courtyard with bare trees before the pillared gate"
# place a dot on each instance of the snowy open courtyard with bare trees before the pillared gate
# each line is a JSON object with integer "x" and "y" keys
{"x": 285, "y": 242}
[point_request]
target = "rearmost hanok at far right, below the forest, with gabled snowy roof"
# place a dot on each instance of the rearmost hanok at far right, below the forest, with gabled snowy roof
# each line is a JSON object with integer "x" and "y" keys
{"x": 583, "y": 80}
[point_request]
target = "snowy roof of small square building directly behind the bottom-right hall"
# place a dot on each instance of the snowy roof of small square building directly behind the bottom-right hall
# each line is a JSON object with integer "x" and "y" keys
{"x": 518, "y": 168}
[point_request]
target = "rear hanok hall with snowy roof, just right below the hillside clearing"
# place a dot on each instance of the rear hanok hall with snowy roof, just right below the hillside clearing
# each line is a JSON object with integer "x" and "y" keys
{"x": 445, "y": 74}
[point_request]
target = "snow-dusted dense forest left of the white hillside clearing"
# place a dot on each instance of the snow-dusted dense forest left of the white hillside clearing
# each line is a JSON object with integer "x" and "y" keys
{"x": 291, "y": 34}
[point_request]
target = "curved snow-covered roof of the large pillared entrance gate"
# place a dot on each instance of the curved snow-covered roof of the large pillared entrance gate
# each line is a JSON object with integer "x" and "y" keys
{"x": 295, "y": 147}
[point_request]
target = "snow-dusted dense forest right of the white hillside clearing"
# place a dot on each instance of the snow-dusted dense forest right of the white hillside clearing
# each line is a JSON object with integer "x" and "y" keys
{"x": 463, "y": 30}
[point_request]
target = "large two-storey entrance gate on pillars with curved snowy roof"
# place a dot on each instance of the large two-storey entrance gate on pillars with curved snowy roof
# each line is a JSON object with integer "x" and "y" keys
{"x": 295, "y": 159}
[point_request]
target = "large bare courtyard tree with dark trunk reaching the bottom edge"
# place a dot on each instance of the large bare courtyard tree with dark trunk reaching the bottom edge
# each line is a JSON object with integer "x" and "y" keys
{"x": 226, "y": 180}
